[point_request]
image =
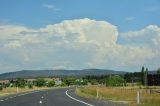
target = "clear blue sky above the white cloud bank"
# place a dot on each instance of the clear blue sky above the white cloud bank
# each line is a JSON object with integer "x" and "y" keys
{"x": 126, "y": 14}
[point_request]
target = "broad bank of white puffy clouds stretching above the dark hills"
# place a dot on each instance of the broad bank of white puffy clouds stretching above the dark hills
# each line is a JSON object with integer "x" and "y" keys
{"x": 77, "y": 44}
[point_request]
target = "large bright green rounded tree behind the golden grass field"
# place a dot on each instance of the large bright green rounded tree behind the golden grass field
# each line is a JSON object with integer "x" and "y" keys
{"x": 115, "y": 80}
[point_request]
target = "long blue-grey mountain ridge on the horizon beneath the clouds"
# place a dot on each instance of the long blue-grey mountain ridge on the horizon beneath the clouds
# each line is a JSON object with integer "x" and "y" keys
{"x": 60, "y": 73}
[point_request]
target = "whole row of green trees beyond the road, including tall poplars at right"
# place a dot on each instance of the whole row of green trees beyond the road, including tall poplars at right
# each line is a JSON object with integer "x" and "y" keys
{"x": 108, "y": 80}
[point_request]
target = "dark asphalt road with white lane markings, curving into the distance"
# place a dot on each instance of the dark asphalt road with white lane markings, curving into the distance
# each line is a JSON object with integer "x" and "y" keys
{"x": 54, "y": 97}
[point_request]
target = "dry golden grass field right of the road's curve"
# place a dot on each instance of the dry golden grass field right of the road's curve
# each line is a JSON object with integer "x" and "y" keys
{"x": 122, "y": 94}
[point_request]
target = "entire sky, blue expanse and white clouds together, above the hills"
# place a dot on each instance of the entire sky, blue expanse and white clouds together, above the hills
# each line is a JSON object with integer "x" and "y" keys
{"x": 78, "y": 34}
